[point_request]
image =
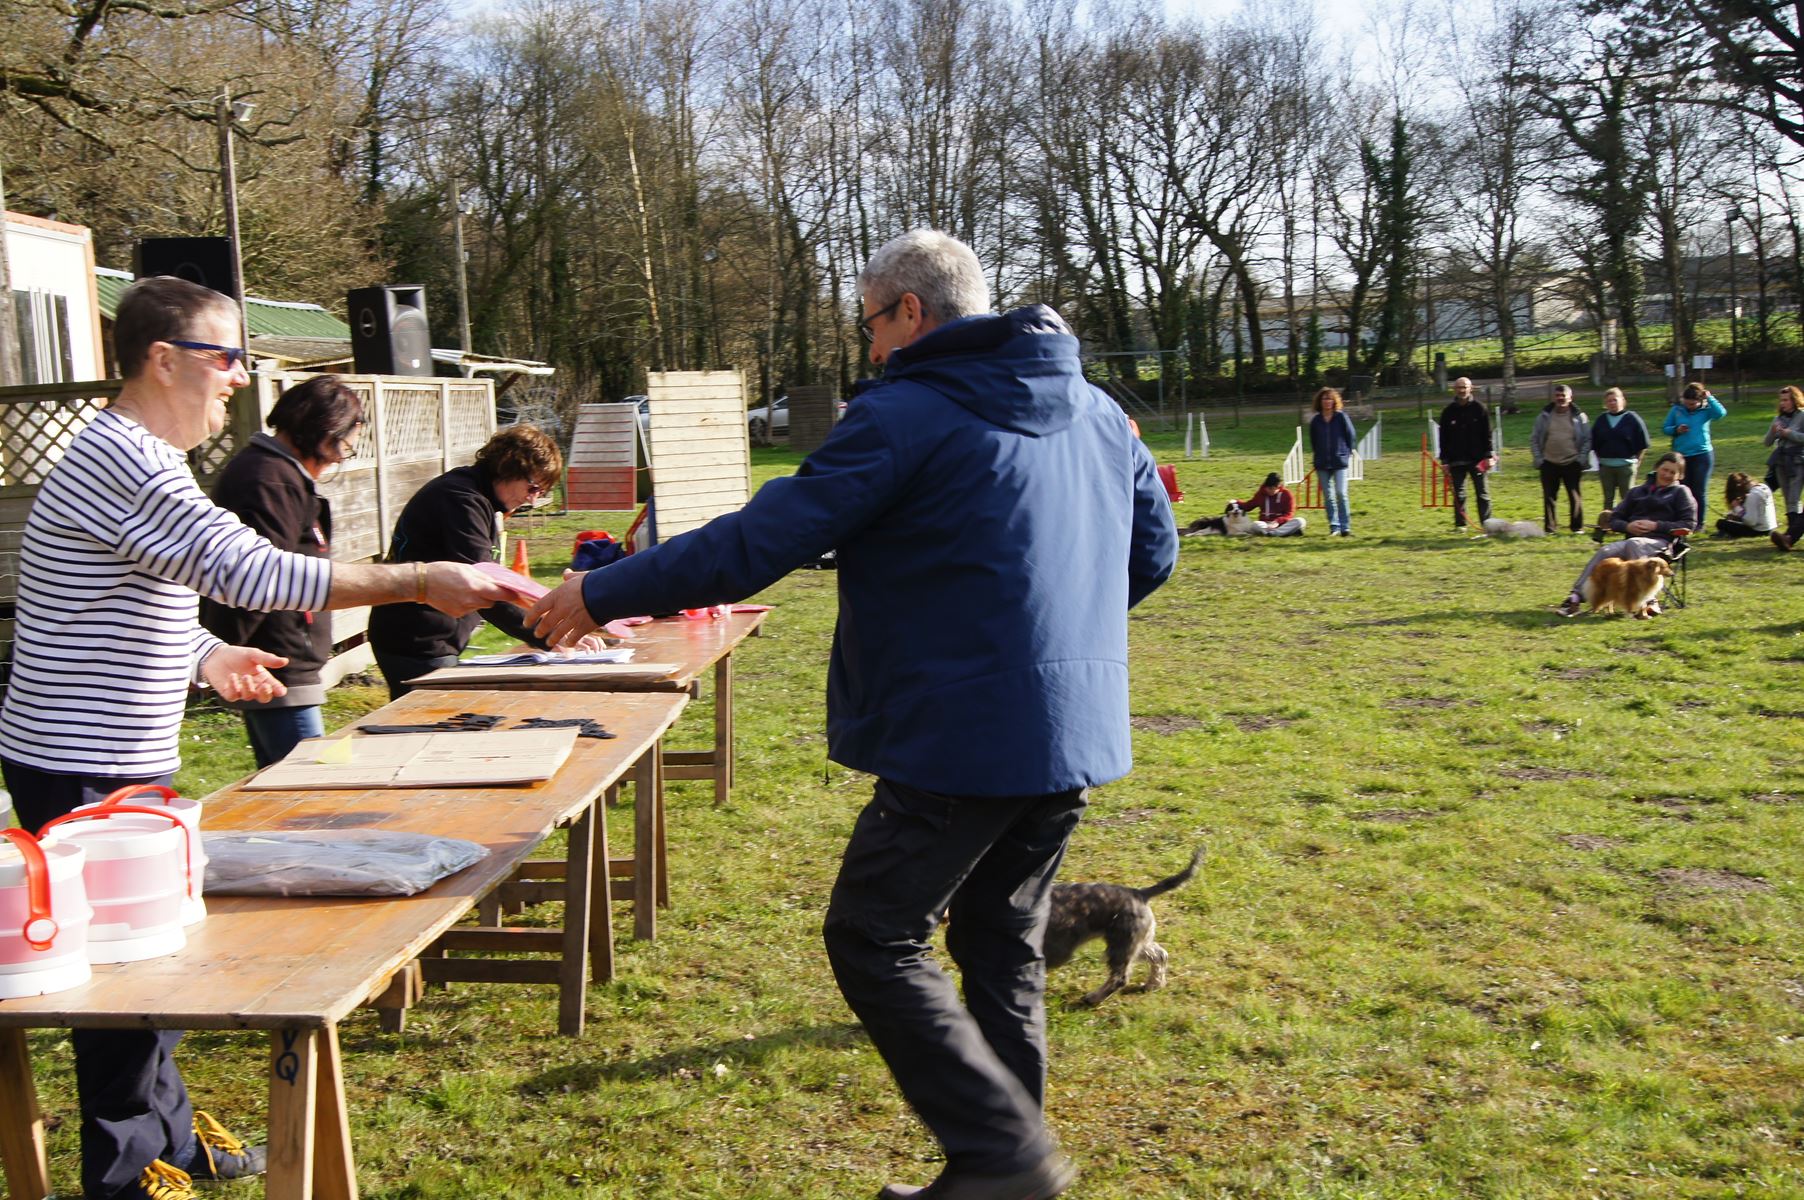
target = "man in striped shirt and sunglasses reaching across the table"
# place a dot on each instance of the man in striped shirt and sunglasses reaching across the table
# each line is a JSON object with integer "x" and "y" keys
{"x": 118, "y": 549}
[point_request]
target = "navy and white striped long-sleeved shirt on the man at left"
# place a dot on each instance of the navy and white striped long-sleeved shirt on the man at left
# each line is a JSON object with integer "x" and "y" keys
{"x": 118, "y": 548}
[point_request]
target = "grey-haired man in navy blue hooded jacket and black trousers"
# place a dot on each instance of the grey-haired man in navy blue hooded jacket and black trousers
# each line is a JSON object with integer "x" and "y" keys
{"x": 995, "y": 522}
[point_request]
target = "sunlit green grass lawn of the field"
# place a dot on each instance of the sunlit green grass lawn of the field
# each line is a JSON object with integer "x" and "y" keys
{"x": 1496, "y": 905}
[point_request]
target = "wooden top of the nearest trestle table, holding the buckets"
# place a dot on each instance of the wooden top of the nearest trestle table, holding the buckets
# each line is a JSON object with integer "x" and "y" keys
{"x": 270, "y": 963}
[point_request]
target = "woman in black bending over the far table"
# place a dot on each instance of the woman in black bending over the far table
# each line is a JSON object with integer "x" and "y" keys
{"x": 459, "y": 517}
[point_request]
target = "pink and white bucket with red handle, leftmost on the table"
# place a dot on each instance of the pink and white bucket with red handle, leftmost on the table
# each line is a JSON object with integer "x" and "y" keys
{"x": 44, "y": 918}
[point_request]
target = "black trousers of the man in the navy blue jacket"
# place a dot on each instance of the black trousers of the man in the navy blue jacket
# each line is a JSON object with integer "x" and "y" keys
{"x": 977, "y": 1071}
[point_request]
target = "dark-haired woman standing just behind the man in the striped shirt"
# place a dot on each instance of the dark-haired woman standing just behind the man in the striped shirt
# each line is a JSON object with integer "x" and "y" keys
{"x": 270, "y": 485}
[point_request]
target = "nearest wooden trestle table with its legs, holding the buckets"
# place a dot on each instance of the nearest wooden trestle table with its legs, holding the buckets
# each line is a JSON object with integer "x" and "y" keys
{"x": 297, "y": 966}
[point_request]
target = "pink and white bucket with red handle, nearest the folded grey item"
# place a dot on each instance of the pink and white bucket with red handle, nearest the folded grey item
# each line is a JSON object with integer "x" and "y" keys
{"x": 136, "y": 876}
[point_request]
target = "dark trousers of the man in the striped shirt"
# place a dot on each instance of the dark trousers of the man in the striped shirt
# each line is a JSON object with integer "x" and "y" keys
{"x": 134, "y": 1103}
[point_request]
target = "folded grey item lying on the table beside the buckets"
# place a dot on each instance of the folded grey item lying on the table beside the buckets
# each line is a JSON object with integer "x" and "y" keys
{"x": 333, "y": 862}
